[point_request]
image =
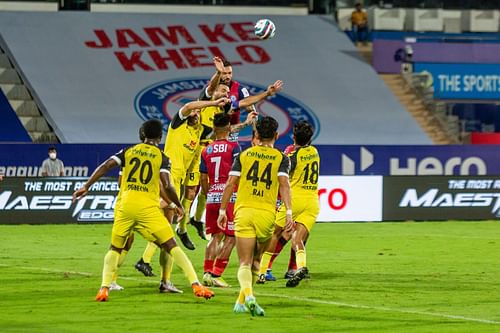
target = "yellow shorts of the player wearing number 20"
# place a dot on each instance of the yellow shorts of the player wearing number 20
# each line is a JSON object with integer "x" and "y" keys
{"x": 147, "y": 221}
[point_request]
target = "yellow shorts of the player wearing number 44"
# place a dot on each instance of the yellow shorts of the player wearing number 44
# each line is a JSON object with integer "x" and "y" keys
{"x": 254, "y": 223}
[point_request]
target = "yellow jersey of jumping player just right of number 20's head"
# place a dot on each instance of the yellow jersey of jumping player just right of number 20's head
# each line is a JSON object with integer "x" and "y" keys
{"x": 182, "y": 142}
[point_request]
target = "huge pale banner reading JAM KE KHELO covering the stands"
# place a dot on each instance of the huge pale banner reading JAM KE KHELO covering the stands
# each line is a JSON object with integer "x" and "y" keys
{"x": 99, "y": 75}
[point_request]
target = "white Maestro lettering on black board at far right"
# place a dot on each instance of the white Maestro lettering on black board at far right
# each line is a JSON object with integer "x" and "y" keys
{"x": 432, "y": 198}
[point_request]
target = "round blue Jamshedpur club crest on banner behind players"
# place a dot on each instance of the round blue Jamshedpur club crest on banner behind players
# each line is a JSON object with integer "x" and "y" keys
{"x": 163, "y": 100}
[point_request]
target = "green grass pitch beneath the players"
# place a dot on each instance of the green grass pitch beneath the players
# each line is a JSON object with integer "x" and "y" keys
{"x": 365, "y": 277}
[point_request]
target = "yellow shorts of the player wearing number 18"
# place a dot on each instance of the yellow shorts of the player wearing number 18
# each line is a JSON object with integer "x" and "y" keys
{"x": 304, "y": 211}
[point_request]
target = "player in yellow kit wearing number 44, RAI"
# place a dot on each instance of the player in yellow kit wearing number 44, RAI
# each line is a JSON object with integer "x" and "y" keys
{"x": 259, "y": 172}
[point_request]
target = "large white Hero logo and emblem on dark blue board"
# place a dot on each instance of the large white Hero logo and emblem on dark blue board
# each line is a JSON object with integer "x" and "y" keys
{"x": 427, "y": 166}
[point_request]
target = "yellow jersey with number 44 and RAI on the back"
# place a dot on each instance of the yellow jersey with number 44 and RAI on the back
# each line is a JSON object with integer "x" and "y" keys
{"x": 258, "y": 168}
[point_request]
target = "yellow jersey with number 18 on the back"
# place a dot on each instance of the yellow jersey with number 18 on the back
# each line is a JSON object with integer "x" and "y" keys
{"x": 304, "y": 171}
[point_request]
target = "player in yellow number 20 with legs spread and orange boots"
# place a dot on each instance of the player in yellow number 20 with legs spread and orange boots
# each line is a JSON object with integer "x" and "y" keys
{"x": 145, "y": 167}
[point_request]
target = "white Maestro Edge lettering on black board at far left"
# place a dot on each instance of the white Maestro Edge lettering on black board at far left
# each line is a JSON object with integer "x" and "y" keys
{"x": 86, "y": 209}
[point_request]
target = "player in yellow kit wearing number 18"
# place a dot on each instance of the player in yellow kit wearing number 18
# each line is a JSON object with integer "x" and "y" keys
{"x": 304, "y": 175}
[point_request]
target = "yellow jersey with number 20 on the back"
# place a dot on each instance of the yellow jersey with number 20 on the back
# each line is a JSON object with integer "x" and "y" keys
{"x": 140, "y": 180}
